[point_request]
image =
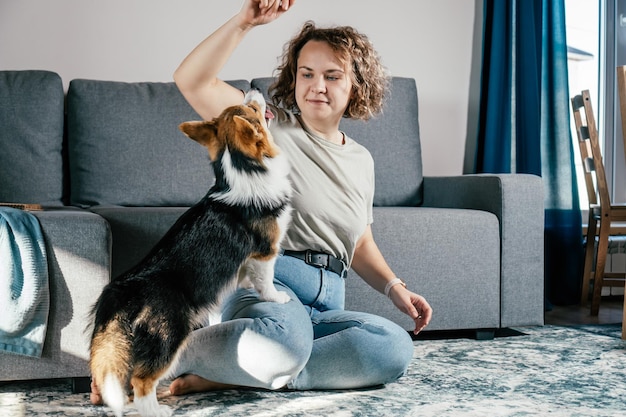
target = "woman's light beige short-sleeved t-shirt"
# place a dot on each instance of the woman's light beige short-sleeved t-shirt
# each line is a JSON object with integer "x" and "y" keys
{"x": 333, "y": 188}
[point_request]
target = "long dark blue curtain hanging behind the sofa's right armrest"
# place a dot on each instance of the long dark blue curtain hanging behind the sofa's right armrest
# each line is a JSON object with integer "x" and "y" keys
{"x": 524, "y": 124}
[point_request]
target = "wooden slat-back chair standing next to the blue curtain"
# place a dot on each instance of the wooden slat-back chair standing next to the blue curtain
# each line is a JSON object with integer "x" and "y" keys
{"x": 602, "y": 213}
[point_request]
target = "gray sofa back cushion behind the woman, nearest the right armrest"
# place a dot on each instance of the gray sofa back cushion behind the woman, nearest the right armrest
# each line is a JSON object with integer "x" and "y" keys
{"x": 393, "y": 140}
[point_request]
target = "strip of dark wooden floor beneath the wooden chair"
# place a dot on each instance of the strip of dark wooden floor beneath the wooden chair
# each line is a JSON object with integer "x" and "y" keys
{"x": 610, "y": 312}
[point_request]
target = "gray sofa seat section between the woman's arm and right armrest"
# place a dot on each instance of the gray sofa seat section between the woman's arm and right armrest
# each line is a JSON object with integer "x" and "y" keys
{"x": 449, "y": 256}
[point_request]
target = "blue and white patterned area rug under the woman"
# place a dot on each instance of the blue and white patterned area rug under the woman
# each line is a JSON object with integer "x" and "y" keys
{"x": 551, "y": 370}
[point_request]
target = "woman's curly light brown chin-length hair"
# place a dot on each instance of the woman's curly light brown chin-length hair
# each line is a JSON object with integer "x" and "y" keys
{"x": 369, "y": 79}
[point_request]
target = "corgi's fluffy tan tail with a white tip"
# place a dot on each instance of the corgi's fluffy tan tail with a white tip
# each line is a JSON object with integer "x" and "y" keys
{"x": 110, "y": 364}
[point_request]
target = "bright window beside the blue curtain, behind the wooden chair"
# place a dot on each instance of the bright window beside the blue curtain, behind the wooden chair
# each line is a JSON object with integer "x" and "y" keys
{"x": 596, "y": 38}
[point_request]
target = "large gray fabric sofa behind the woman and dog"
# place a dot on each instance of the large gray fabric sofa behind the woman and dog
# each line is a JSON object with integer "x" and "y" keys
{"x": 113, "y": 172}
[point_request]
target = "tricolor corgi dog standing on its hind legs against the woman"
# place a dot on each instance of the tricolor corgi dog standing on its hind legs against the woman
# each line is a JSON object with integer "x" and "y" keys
{"x": 142, "y": 317}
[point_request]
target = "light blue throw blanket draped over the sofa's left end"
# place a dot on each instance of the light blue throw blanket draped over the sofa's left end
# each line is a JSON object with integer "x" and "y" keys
{"x": 24, "y": 292}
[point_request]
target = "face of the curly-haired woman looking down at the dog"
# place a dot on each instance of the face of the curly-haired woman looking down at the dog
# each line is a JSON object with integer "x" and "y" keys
{"x": 323, "y": 85}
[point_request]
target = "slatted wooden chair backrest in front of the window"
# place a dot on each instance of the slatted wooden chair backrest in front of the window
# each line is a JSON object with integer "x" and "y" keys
{"x": 587, "y": 132}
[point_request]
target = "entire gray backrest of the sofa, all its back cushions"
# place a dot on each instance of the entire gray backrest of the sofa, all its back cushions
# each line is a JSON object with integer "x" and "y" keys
{"x": 124, "y": 146}
